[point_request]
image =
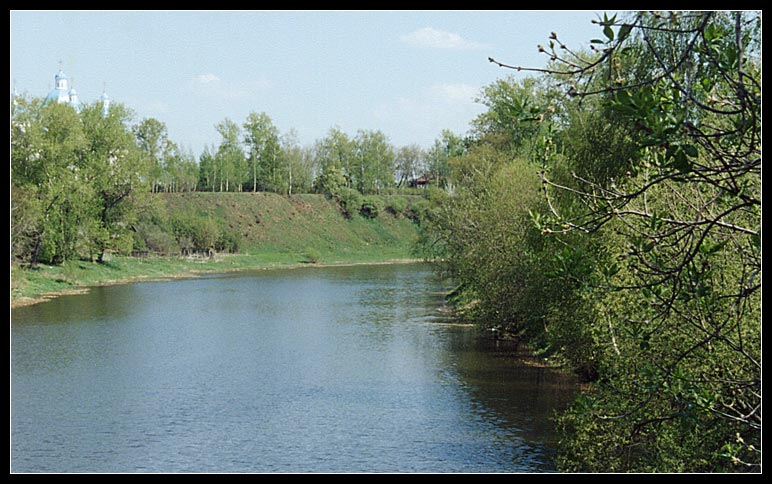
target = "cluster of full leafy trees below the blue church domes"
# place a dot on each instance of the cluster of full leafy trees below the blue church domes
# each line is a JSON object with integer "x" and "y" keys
{"x": 73, "y": 176}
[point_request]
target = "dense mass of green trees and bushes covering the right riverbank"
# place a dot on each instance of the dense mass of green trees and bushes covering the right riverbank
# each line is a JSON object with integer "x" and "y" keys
{"x": 607, "y": 209}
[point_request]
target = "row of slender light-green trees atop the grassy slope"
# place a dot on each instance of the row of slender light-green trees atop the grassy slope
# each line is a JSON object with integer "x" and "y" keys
{"x": 255, "y": 156}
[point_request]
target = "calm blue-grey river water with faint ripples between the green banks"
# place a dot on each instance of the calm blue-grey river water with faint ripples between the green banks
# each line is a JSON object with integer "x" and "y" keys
{"x": 347, "y": 369}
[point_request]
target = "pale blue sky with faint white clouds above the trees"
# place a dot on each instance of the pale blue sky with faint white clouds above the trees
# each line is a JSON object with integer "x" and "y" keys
{"x": 407, "y": 73}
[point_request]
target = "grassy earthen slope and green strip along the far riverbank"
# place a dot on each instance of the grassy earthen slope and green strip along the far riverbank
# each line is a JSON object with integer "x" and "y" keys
{"x": 270, "y": 230}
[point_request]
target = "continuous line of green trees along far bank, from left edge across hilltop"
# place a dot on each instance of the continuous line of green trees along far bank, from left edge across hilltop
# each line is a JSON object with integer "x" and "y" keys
{"x": 78, "y": 179}
